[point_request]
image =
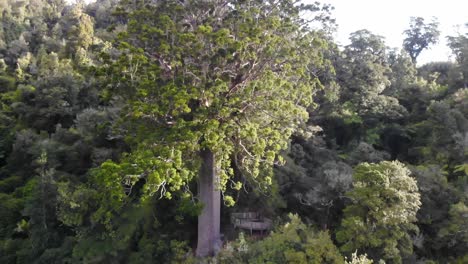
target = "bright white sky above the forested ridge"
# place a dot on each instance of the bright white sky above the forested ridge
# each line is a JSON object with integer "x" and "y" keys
{"x": 389, "y": 18}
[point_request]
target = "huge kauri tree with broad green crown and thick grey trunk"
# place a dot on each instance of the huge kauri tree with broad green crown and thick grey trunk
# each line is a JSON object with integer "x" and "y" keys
{"x": 211, "y": 87}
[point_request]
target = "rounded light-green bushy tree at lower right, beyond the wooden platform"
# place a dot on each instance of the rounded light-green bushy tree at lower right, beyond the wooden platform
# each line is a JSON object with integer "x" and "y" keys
{"x": 385, "y": 201}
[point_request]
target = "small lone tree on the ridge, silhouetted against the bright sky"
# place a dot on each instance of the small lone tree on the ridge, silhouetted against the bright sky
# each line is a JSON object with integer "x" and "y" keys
{"x": 420, "y": 36}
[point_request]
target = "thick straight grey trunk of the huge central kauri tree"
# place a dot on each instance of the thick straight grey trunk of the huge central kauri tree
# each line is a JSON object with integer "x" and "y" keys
{"x": 209, "y": 241}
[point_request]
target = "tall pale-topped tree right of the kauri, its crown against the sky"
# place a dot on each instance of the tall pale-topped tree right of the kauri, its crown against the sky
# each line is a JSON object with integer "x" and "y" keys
{"x": 365, "y": 76}
